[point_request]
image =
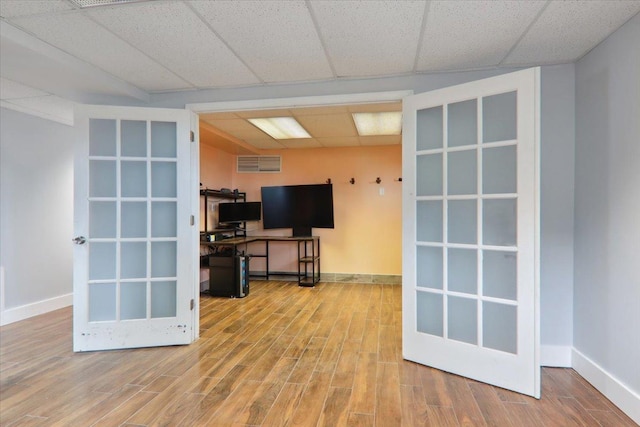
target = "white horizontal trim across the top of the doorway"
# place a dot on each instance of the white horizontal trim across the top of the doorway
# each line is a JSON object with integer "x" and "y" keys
{"x": 303, "y": 101}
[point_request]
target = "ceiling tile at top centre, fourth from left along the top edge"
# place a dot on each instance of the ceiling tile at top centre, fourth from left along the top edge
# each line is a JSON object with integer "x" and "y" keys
{"x": 370, "y": 37}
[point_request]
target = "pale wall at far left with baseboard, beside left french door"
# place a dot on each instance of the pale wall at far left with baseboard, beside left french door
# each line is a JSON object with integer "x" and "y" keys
{"x": 36, "y": 214}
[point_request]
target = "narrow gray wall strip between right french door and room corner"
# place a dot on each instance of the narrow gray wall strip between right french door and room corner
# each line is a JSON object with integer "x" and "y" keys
{"x": 556, "y": 200}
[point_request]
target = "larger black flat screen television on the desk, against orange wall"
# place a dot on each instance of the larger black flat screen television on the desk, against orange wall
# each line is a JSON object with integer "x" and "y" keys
{"x": 300, "y": 207}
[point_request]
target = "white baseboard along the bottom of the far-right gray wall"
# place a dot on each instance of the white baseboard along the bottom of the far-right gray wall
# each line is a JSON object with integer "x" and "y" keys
{"x": 617, "y": 392}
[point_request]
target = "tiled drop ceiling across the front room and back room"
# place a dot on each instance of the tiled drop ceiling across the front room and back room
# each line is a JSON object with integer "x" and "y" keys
{"x": 139, "y": 48}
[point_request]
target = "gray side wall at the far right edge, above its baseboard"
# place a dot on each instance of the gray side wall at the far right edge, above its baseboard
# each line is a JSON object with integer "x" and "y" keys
{"x": 607, "y": 205}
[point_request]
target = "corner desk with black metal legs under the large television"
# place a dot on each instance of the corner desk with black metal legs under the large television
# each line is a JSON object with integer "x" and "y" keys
{"x": 308, "y": 254}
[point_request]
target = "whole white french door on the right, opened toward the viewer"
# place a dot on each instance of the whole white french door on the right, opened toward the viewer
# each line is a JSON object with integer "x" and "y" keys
{"x": 470, "y": 230}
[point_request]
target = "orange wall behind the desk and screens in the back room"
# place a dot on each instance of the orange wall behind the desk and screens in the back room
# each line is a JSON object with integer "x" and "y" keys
{"x": 367, "y": 238}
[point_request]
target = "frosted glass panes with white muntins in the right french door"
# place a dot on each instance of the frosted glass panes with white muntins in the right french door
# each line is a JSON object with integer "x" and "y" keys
{"x": 466, "y": 221}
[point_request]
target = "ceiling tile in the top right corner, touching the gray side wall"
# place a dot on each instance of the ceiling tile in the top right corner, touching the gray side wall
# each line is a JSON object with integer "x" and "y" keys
{"x": 567, "y": 30}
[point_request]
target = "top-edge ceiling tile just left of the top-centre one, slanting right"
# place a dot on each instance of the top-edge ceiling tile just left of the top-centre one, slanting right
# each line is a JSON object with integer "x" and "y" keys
{"x": 276, "y": 39}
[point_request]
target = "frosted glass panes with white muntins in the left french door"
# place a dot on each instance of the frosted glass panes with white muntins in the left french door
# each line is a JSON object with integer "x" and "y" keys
{"x": 132, "y": 220}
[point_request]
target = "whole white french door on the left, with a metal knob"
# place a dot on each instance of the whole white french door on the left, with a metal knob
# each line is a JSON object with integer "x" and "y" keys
{"x": 135, "y": 272}
